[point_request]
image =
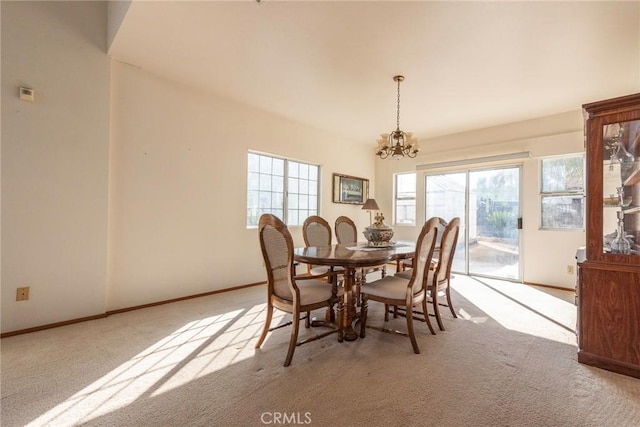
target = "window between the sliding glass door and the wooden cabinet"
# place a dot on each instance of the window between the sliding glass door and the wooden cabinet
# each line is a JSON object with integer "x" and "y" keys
{"x": 562, "y": 192}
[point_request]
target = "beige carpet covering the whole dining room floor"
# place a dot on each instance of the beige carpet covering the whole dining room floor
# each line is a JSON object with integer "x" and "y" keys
{"x": 509, "y": 360}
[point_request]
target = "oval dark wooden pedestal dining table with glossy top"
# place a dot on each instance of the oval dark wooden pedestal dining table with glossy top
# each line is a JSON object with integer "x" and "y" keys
{"x": 352, "y": 257}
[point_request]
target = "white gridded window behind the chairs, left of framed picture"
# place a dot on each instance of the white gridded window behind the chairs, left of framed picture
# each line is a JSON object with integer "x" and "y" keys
{"x": 282, "y": 187}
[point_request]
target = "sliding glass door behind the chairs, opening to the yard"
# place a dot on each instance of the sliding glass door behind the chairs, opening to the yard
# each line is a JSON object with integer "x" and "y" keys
{"x": 488, "y": 204}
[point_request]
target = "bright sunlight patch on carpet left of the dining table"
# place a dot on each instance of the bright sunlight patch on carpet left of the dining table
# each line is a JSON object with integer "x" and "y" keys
{"x": 191, "y": 352}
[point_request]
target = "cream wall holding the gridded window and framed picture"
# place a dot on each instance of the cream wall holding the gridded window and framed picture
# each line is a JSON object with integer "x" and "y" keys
{"x": 178, "y": 186}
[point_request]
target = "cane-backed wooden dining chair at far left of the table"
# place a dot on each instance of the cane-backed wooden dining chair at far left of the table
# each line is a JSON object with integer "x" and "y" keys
{"x": 285, "y": 291}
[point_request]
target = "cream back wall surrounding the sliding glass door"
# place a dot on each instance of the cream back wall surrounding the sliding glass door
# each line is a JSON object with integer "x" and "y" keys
{"x": 545, "y": 253}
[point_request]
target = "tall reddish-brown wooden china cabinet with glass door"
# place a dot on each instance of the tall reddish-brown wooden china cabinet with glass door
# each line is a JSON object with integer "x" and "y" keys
{"x": 608, "y": 292}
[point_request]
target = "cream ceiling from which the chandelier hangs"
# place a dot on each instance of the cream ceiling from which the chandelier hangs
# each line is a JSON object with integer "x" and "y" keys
{"x": 467, "y": 65}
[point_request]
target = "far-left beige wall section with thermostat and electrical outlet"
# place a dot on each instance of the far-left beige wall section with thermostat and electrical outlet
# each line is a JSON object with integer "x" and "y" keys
{"x": 54, "y": 161}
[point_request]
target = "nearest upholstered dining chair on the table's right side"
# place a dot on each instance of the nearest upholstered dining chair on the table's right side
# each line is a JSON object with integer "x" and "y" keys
{"x": 396, "y": 291}
